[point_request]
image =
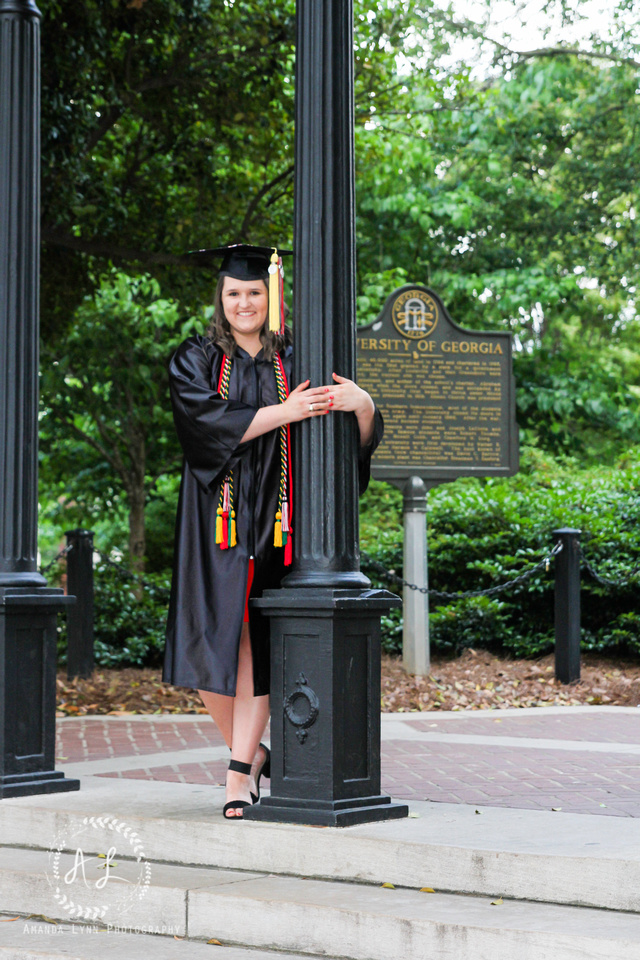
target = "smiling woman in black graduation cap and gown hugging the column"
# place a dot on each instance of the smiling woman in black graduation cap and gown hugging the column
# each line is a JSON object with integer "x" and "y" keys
{"x": 232, "y": 407}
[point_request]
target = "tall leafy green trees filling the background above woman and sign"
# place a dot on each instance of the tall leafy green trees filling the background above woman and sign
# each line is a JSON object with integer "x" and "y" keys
{"x": 506, "y": 180}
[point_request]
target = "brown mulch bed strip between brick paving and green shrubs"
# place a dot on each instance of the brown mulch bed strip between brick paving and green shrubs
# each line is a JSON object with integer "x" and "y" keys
{"x": 477, "y": 680}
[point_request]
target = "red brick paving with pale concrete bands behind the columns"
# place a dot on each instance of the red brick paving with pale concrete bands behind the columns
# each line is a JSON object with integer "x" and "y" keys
{"x": 577, "y": 759}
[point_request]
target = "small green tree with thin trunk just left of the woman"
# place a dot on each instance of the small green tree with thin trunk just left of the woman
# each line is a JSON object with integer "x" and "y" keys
{"x": 106, "y": 429}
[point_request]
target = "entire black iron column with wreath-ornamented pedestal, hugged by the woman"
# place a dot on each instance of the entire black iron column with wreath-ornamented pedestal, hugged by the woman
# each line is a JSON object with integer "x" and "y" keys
{"x": 325, "y": 623}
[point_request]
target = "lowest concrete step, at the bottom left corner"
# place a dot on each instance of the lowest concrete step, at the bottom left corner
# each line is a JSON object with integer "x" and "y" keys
{"x": 37, "y": 940}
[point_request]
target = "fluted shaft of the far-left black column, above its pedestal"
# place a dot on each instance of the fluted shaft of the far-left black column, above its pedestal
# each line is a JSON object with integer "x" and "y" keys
{"x": 19, "y": 271}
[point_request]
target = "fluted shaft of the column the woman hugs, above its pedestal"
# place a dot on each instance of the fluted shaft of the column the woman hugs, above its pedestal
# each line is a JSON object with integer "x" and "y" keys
{"x": 325, "y": 490}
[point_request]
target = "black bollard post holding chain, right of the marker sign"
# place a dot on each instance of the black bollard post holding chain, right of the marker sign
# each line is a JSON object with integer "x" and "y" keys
{"x": 567, "y": 605}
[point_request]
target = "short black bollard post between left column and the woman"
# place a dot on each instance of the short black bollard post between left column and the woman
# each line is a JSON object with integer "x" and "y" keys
{"x": 80, "y": 615}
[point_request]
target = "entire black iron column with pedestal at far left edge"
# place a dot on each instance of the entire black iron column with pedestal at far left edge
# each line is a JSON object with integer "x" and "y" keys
{"x": 27, "y": 607}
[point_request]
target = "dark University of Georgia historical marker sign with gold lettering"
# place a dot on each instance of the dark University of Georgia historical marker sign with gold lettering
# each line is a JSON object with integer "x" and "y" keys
{"x": 447, "y": 394}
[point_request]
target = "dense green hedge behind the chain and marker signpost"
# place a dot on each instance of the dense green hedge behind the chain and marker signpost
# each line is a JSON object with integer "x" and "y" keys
{"x": 484, "y": 532}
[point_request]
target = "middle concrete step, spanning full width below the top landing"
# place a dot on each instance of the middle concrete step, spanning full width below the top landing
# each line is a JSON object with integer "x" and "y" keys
{"x": 314, "y": 917}
